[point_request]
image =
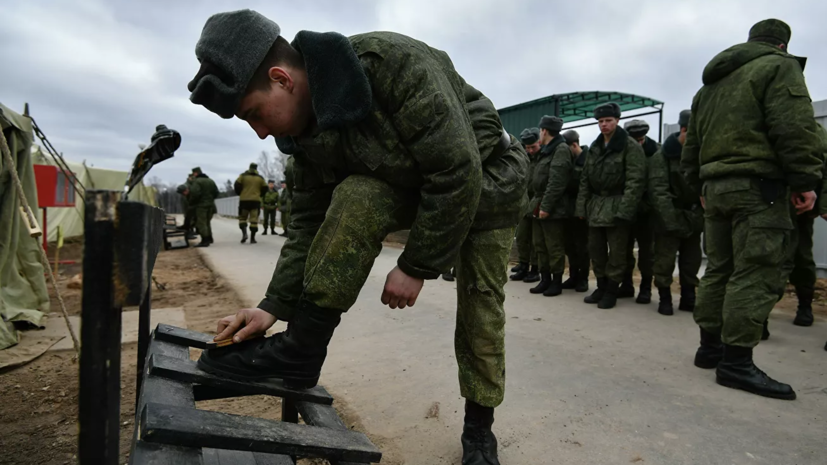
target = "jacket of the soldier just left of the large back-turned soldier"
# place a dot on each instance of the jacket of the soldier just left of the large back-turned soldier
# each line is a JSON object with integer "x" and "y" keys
{"x": 676, "y": 205}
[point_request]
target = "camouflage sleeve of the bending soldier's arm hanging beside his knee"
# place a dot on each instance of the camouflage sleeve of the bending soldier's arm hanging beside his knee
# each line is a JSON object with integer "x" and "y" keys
{"x": 425, "y": 102}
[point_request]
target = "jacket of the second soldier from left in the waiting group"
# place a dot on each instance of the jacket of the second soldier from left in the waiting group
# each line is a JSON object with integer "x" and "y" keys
{"x": 550, "y": 179}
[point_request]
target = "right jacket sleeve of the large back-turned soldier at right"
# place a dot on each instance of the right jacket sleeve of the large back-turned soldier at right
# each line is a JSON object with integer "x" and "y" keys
{"x": 791, "y": 127}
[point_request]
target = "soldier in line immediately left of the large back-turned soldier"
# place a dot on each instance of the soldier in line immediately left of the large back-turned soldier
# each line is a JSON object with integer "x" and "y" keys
{"x": 678, "y": 222}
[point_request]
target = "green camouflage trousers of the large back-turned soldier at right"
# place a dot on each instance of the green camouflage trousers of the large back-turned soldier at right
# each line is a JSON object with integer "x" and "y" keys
{"x": 747, "y": 241}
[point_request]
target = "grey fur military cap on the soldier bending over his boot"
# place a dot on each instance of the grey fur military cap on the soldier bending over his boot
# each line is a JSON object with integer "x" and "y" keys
{"x": 231, "y": 48}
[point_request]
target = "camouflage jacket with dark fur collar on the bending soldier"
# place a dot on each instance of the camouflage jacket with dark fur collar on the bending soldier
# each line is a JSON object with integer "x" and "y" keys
{"x": 392, "y": 107}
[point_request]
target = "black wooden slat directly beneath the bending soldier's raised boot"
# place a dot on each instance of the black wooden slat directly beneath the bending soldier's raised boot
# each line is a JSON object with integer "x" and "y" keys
{"x": 187, "y": 370}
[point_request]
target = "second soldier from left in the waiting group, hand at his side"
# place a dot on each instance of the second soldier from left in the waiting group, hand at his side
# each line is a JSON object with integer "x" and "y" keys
{"x": 552, "y": 174}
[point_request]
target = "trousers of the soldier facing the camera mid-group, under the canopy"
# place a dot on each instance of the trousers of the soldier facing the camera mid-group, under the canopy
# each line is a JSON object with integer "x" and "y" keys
{"x": 607, "y": 249}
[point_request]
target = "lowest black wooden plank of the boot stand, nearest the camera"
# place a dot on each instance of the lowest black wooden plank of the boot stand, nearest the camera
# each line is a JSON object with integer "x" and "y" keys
{"x": 197, "y": 428}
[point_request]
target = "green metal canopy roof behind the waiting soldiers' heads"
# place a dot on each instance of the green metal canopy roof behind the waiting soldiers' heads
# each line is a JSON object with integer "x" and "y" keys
{"x": 571, "y": 107}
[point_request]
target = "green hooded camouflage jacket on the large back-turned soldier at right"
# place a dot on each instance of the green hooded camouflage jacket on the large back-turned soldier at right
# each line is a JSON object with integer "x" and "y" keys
{"x": 753, "y": 118}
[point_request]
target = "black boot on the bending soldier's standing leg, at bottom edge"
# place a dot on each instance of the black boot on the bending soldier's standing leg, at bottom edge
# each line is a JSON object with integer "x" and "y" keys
{"x": 479, "y": 445}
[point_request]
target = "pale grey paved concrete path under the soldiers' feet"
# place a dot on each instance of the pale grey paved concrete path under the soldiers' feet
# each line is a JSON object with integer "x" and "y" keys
{"x": 585, "y": 386}
